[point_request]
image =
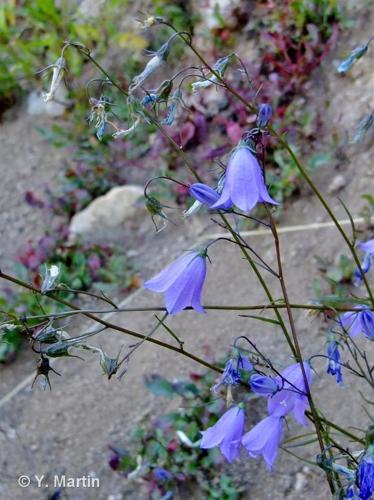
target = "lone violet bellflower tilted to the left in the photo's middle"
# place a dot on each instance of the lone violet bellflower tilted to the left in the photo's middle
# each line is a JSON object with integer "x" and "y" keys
{"x": 182, "y": 282}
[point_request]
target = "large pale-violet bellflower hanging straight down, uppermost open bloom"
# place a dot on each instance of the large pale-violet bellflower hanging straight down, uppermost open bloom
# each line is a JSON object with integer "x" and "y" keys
{"x": 244, "y": 182}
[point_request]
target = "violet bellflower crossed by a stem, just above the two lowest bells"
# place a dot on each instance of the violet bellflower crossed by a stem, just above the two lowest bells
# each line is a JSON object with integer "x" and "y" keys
{"x": 293, "y": 395}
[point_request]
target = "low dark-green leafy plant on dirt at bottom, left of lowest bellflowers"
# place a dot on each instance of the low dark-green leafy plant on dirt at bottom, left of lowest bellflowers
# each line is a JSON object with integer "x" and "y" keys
{"x": 169, "y": 458}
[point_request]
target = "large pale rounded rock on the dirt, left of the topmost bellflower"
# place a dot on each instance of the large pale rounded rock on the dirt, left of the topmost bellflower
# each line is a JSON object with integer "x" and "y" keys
{"x": 108, "y": 211}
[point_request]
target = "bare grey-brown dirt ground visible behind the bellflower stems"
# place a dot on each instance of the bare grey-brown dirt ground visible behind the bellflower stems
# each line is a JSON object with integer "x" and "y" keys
{"x": 68, "y": 430}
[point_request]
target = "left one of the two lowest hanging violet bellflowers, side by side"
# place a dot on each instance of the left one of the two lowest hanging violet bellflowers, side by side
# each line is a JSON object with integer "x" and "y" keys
{"x": 226, "y": 433}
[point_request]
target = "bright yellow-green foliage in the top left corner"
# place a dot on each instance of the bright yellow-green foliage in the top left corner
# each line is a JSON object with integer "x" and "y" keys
{"x": 31, "y": 34}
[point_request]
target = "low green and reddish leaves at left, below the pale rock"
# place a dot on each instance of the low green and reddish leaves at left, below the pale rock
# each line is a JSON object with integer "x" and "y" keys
{"x": 101, "y": 268}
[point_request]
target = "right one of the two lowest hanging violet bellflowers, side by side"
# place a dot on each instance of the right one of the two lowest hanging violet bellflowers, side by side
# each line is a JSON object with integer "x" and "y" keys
{"x": 264, "y": 439}
